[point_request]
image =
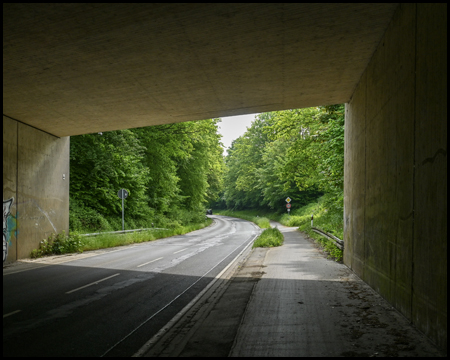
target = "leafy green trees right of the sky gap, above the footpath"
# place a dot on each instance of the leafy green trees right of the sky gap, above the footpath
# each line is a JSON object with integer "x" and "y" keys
{"x": 296, "y": 153}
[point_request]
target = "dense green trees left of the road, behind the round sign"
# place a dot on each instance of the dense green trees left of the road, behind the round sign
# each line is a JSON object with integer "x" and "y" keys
{"x": 171, "y": 172}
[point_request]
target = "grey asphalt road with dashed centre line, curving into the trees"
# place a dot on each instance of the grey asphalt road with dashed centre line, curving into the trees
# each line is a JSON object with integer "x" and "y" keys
{"x": 111, "y": 303}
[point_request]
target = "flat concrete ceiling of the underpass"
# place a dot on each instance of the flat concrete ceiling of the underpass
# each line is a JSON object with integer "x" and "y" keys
{"x": 71, "y": 69}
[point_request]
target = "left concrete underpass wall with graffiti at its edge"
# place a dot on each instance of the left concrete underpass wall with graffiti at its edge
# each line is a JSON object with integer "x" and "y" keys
{"x": 35, "y": 195}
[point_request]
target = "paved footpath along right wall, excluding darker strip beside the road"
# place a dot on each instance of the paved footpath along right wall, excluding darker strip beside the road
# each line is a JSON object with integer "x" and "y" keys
{"x": 308, "y": 305}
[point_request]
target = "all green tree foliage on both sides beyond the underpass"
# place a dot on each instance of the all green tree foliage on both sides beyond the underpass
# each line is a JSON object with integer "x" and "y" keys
{"x": 173, "y": 172}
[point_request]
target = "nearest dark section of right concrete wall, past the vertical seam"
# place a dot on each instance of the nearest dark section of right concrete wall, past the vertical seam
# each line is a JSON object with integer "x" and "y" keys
{"x": 430, "y": 181}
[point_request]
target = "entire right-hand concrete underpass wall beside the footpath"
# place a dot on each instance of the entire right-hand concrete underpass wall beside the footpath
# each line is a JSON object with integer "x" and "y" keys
{"x": 395, "y": 220}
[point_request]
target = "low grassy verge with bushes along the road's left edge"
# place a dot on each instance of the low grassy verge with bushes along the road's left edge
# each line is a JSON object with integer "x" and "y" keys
{"x": 61, "y": 244}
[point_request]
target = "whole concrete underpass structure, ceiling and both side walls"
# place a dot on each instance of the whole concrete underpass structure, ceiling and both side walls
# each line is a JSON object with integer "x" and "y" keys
{"x": 72, "y": 69}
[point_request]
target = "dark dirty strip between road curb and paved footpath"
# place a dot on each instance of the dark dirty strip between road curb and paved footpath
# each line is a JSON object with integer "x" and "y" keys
{"x": 210, "y": 326}
